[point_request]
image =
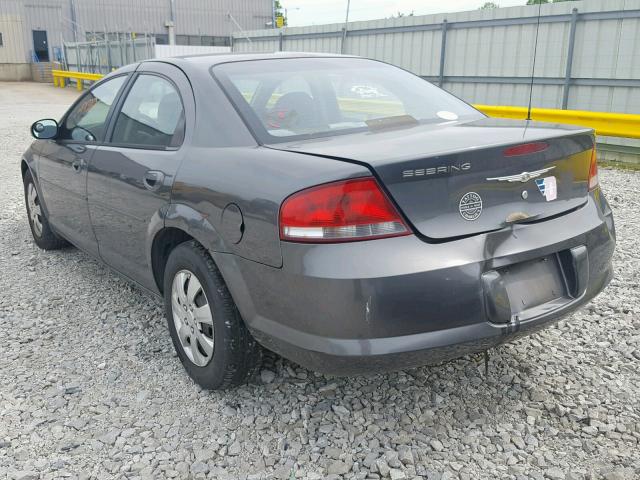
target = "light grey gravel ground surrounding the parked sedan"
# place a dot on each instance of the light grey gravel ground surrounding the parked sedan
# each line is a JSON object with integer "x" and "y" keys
{"x": 91, "y": 387}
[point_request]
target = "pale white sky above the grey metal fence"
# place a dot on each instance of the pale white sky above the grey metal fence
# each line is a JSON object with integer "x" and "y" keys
{"x": 318, "y": 12}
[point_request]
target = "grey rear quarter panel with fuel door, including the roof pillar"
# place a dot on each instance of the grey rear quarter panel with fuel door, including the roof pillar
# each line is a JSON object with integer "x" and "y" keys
{"x": 225, "y": 166}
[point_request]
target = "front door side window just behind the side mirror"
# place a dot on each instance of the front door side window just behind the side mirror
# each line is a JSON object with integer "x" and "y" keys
{"x": 87, "y": 121}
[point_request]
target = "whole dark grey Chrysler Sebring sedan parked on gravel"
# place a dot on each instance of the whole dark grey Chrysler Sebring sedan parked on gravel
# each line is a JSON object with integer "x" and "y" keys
{"x": 272, "y": 208}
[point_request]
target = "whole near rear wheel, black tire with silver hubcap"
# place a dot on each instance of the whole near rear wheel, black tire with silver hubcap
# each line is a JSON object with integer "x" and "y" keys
{"x": 209, "y": 336}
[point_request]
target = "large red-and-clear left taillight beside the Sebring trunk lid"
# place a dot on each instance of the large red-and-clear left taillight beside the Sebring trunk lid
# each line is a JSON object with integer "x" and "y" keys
{"x": 340, "y": 212}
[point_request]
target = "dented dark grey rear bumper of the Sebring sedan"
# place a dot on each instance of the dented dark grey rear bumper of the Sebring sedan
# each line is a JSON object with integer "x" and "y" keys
{"x": 400, "y": 303}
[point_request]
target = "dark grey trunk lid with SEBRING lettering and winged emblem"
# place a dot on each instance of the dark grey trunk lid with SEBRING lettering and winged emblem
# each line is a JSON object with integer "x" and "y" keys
{"x": 461, "y": 179}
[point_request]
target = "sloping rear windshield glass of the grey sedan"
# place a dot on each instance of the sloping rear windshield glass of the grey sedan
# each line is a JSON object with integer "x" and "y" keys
{"x": 297, "y": 98}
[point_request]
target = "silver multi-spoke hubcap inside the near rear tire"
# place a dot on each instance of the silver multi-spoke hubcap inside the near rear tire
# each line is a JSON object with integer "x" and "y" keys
{"x": 192, "y": 317}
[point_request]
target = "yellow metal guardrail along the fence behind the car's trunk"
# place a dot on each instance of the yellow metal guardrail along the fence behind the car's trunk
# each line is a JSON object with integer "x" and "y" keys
{"x": 606, "y": 124}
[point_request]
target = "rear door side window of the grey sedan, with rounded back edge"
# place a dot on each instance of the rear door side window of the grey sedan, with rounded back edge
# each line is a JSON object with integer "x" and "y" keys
{"x": 152, "y": 115}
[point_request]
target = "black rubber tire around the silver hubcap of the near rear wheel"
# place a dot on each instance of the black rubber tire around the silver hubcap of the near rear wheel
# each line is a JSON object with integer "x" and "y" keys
{"x": 236, "y": 355}
